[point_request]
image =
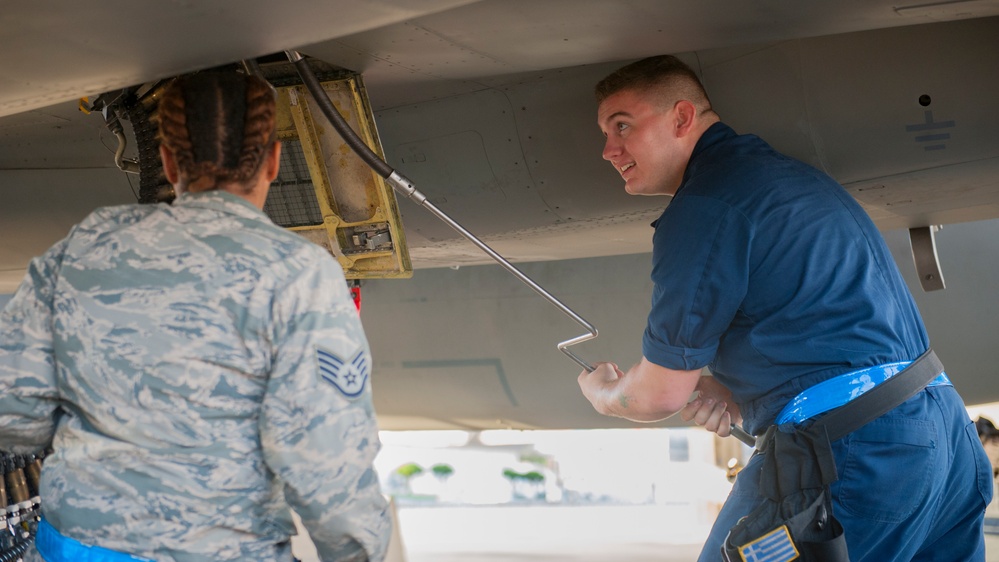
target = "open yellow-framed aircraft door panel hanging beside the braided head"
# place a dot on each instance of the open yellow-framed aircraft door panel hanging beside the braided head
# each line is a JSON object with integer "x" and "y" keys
{"x": 327, "y": 194}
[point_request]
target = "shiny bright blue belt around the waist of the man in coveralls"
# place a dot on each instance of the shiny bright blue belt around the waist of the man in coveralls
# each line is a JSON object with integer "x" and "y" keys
{"x": 837, "y": 391}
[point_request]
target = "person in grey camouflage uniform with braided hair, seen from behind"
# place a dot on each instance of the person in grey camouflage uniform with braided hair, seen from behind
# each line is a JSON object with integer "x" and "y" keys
{"x": 196, "y": 370}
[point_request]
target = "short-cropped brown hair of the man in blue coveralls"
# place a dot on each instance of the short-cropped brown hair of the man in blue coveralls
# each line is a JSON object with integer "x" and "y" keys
{"x": 664, "y": 74}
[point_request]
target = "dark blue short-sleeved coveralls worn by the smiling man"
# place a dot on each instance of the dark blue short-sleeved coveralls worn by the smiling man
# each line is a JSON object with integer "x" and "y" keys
{"x": 768, "y": 272}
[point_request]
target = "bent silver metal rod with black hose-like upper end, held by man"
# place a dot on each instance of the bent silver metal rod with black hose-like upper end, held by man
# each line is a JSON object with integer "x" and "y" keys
{"x": 406, "y": 187}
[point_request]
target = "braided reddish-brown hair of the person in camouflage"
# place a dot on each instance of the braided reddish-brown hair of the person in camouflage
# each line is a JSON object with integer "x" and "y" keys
{"x": 218, "y": 125}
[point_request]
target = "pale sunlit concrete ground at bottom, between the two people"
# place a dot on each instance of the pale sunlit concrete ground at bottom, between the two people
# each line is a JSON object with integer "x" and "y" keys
{"x": 555, "y": 534}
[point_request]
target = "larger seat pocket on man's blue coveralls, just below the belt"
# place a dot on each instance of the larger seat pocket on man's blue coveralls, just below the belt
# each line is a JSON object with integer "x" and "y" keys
{"x": 887, "y": 470}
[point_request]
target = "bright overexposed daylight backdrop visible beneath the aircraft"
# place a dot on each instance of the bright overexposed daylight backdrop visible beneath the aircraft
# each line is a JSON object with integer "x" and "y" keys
{"x": 622, "y": 495}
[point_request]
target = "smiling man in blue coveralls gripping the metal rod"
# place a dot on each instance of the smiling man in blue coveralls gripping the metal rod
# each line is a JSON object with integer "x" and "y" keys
{"x": 770, "y": 274}
